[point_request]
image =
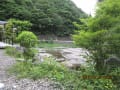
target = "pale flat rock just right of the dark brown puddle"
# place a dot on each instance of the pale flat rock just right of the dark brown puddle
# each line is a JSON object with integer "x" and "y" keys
{"x": 75, "y": 56}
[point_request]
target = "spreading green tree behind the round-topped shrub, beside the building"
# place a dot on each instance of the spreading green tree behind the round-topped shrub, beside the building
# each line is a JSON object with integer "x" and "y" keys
{"x": 18, "y": 25}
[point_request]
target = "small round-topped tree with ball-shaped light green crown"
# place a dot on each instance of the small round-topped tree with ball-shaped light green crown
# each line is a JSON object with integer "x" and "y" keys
{"x": 28, "y": 40}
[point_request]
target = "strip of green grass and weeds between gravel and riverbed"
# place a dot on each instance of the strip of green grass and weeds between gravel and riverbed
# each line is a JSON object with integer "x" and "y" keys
{"x": 69, "y": 79}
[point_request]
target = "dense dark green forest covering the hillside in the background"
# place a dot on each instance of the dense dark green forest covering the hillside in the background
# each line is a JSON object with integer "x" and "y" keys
{"x": 47, "y": 16}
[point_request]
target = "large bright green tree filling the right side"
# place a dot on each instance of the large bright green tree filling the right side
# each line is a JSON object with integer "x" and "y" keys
{"x": 103, "y": 34}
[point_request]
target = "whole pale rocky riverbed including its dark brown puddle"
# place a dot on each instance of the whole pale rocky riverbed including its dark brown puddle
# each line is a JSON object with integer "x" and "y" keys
{"x": 70, "y": 57}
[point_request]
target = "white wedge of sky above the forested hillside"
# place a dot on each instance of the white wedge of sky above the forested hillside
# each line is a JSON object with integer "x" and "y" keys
{"x": 87, "y": 6}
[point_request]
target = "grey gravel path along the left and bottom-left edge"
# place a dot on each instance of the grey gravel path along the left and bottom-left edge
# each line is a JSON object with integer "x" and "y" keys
{"x": 11, "y": 83}
